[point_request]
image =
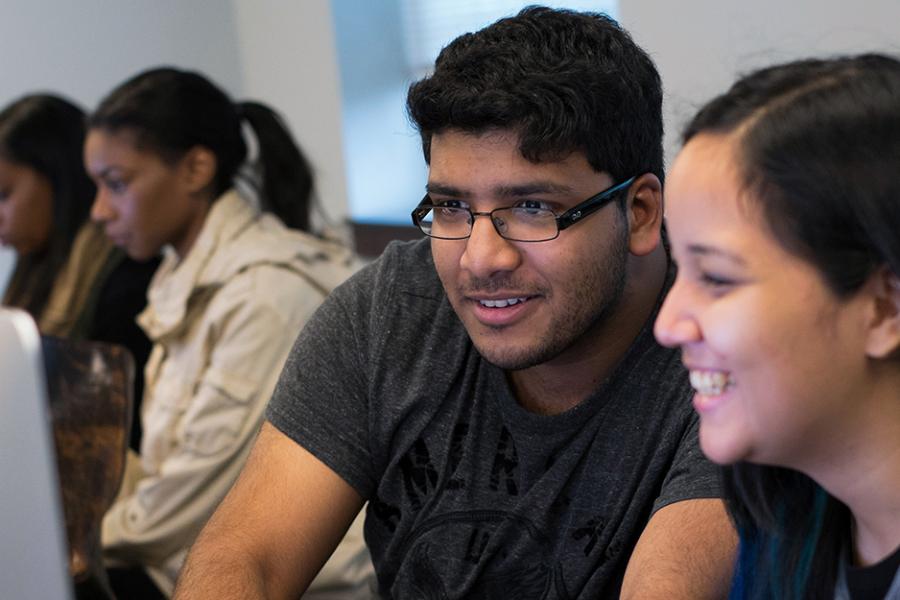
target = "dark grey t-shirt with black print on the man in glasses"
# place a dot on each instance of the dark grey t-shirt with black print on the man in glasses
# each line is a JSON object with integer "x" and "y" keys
{"x": 470, "y": 495}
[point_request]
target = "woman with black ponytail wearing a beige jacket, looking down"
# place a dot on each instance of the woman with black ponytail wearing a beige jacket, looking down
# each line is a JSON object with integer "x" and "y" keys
{"x": 239, "y": 278}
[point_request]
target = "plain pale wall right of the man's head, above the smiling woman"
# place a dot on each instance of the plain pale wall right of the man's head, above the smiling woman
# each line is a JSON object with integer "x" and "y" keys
{"x": 701, "y": 46}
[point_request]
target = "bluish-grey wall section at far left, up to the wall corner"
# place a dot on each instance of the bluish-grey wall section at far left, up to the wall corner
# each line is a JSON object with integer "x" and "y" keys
{"x": 82, "y": 49}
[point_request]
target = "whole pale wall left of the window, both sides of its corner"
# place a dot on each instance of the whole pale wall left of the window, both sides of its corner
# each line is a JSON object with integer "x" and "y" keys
{"x": 278, "y": 52}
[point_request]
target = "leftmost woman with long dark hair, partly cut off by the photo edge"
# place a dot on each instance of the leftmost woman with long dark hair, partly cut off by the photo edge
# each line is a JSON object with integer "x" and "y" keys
{"x": 68, "y": 276}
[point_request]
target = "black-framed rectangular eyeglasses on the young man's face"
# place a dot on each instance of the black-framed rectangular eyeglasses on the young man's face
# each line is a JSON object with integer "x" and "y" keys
{"x": 514, "y": 223}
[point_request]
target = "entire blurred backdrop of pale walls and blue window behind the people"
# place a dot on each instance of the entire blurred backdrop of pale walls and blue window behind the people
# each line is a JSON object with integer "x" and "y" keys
{"x": 338, "y": 71}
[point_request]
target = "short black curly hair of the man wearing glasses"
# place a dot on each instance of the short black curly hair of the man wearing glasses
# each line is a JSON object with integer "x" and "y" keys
{"x": 565, "y": 81}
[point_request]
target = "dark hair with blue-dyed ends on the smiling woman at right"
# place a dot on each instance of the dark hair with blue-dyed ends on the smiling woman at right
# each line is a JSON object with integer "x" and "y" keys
{"x": 819, "y": 151}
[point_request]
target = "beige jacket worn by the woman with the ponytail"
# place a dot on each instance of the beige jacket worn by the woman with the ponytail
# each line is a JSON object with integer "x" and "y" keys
{"x": 222, "y": 322}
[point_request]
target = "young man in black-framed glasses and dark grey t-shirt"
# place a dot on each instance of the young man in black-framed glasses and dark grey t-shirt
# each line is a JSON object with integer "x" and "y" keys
{"x": 495, "y": 392}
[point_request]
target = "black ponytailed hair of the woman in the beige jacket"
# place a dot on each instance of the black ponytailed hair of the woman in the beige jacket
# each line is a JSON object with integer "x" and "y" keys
{"x": 171, "y": 111}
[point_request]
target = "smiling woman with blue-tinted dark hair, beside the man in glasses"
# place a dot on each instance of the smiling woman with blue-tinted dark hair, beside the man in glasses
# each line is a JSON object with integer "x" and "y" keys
{"x": 784, "y": 208}
